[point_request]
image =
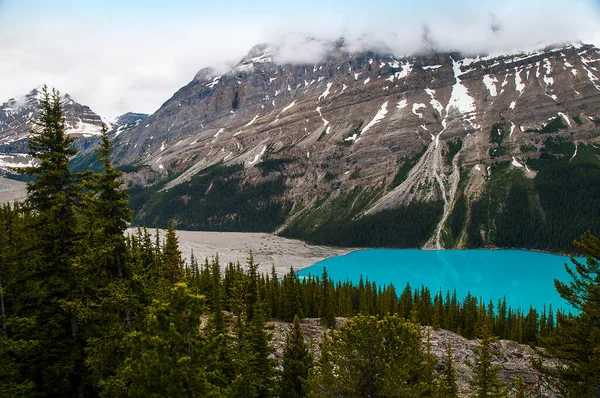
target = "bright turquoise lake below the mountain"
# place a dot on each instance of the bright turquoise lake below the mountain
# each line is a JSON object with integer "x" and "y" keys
{"x": 525, "y": 278}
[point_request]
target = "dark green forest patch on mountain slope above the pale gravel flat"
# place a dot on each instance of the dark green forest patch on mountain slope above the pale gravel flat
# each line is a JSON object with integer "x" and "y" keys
{"x": 217, "y": 200}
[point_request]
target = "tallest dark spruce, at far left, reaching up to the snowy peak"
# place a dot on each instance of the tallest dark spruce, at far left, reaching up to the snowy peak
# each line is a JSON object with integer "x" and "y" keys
{"x": 55, "y": 199}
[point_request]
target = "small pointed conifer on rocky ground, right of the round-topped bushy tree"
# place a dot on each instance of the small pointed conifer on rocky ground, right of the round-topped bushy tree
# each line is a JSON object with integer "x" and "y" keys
{"x": 486, "y": 383}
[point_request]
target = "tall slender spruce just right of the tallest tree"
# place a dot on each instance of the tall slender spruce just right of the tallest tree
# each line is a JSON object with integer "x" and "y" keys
{"x": 109, "y": 297}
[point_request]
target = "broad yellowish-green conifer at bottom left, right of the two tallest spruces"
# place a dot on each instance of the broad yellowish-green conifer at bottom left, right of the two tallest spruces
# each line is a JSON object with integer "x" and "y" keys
{"x": 168, "y": 356}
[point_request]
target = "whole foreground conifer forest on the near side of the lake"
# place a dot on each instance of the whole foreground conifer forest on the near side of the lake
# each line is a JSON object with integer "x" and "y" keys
{"x": 88, "y": 311}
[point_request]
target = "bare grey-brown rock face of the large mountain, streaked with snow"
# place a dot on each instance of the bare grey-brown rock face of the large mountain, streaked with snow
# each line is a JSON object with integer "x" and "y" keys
{"x": 423, "y": 129}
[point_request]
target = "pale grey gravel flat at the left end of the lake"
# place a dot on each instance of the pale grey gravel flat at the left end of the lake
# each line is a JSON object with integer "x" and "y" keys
{"x": 268, "y": 249}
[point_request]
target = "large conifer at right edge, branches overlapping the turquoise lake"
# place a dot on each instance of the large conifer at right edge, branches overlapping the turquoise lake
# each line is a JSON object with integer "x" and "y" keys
{"x": 577, "y": 339}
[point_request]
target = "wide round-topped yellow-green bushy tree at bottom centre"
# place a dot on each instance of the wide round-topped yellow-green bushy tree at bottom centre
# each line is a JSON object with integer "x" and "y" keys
{"x": 370, "y": 357}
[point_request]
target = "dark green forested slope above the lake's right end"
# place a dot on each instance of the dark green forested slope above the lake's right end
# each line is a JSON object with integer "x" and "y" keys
{"x": 542, "y": 213}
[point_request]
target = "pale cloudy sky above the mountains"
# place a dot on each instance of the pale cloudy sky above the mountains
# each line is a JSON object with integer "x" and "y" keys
{"x": 132, "y": 55}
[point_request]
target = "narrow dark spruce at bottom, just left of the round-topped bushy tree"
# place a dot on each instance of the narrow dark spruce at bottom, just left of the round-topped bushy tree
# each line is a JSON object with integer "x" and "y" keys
{"x": 297, "y": 360}
